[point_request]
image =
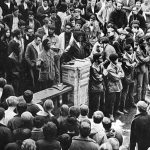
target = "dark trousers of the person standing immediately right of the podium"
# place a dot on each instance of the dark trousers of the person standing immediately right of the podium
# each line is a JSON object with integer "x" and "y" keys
{"x": 96, "y": 102}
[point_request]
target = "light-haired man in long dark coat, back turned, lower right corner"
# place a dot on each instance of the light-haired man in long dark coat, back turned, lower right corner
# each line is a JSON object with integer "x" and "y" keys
{"x": 140, "y": 128}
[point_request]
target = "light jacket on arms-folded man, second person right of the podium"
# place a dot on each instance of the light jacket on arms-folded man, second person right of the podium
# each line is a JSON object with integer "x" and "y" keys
{"x": 115, "y": 74}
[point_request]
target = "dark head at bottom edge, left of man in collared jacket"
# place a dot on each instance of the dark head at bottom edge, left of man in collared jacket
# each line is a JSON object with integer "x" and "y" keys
{"x": 65, "y": 141}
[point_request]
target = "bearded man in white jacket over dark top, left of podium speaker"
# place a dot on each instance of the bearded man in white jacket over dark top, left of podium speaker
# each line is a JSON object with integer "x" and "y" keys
{"x": 65, "y": 38}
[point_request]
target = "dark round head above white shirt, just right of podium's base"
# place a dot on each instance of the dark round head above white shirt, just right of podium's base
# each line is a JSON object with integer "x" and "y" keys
{"x": 98, "y": 116}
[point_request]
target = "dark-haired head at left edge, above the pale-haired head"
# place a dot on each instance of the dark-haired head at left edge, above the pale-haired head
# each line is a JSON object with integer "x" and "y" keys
{"x": 8, "y": 90}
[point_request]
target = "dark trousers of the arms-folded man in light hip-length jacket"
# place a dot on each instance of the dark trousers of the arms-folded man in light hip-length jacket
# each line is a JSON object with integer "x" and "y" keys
{"x": 112, "y": 102}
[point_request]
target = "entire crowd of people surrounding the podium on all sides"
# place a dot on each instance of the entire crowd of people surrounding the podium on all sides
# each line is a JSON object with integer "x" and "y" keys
{"x": 38, "y": 36}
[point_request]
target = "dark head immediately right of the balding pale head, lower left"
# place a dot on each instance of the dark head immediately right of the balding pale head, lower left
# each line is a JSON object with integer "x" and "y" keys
{"x": 38, "y": 121}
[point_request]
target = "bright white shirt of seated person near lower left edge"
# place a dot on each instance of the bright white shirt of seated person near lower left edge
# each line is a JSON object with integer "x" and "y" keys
{"x": 9, "y": 114}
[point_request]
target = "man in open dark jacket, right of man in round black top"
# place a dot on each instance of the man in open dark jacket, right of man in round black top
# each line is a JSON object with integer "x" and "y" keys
{"x": 136, "y": 16}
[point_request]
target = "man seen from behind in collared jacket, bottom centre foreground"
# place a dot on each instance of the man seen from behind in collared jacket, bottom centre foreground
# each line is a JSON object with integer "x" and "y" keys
{"x": 83, "y": 141}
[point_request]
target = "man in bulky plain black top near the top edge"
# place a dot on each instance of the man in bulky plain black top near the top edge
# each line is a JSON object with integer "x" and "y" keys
{"x": 118, "y": 17}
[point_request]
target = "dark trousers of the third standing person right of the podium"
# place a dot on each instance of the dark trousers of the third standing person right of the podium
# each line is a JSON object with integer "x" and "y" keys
{"x": 128, "y": 90}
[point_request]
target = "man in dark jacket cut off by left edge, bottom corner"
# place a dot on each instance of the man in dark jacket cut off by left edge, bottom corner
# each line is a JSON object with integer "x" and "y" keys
{"x": 5, "y": 133}
